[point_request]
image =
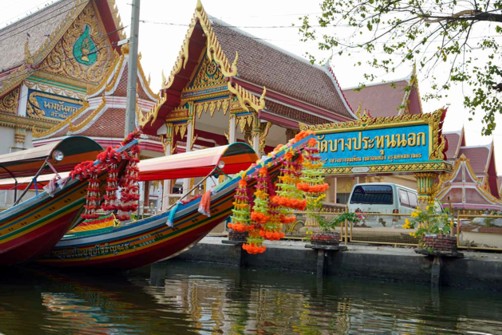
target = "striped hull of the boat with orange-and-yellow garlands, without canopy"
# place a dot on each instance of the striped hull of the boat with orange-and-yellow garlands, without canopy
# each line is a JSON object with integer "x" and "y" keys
{"x": 144, "y": 241}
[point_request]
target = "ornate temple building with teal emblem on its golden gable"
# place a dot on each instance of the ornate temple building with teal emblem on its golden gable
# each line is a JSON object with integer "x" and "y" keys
{"x": 68, "y": 76}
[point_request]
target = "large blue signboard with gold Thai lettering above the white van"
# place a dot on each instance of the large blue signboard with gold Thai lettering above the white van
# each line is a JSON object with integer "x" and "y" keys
{"x": 366, "y": 147}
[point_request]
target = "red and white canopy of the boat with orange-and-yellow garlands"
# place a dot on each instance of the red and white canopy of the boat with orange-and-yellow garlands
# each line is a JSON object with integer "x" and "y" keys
{"x": 235, "y": 157}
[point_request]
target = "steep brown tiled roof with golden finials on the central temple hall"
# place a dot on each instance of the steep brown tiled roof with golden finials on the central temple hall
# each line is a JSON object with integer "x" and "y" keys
{"x": 260, "y": 75}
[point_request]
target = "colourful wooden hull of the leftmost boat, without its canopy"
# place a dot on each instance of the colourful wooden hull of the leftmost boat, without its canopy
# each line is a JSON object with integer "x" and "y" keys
{"x": 32, "y": 228}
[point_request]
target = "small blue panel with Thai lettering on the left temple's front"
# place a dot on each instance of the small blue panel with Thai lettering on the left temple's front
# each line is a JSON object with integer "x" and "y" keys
{"x": 47, "y": 105}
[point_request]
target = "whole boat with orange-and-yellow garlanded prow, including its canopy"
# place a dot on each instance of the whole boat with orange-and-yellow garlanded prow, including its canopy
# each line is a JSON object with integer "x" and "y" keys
{"x": 166, "y": 234}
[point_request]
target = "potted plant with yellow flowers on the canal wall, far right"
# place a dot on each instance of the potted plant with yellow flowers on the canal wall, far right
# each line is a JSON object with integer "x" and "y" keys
{"x": 433, "y": 230}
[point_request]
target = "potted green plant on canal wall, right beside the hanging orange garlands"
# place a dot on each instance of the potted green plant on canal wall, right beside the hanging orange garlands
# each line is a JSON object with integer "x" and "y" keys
{"x": 327, "y": 233}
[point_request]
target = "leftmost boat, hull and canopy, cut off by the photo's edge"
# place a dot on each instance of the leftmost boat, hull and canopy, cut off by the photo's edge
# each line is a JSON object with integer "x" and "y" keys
{"x": 32, "y": 227}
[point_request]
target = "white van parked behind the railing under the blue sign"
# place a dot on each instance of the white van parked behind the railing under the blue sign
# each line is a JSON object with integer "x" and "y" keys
{"x": 382, "y": 198}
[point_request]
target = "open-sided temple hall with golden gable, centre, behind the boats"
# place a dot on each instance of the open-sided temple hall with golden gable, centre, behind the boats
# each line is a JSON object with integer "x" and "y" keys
{"x": 228, "y": 86}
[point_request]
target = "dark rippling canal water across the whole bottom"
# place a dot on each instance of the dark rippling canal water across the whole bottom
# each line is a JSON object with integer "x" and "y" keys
{"x": 181, "y": 298}
